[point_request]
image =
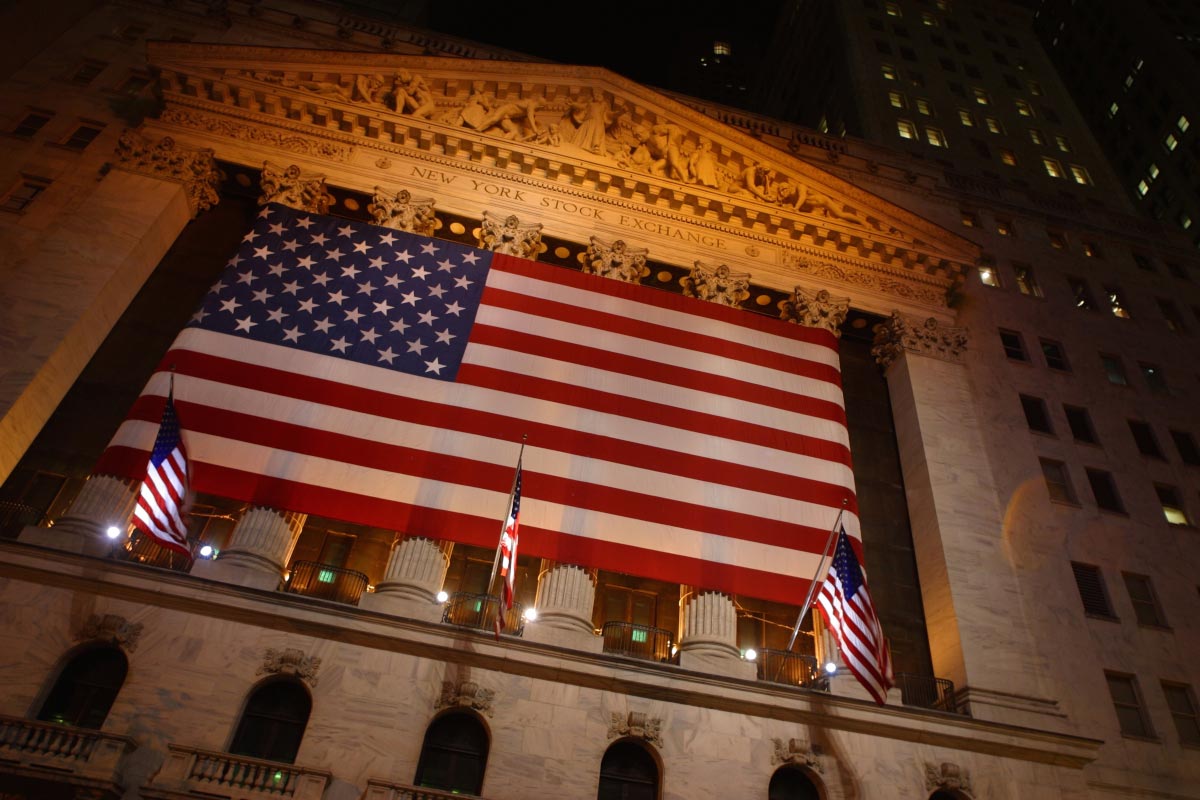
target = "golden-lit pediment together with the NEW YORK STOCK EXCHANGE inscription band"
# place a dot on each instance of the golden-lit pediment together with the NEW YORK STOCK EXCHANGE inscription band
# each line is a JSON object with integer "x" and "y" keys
{"x": 580, "y": 151}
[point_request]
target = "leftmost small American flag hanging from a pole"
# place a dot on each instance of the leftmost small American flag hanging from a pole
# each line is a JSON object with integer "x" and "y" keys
{"x": 159, "y": 513}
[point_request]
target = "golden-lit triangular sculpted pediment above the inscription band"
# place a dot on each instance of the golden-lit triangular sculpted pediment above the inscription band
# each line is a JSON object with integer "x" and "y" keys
{"x": 585, "y": 127}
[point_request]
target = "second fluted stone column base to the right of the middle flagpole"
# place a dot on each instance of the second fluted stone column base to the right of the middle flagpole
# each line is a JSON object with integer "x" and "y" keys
{"x": 710, "y": 635}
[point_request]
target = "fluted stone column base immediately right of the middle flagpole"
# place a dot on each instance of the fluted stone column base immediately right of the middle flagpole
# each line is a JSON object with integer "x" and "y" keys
{"x": 566, "y": 597}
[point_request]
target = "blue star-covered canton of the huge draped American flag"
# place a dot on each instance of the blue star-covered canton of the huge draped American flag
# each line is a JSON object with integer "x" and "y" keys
{"x": 352, "y": 291}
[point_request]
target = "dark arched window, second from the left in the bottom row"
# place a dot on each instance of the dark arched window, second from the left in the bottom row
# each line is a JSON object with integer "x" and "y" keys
{"x": 273, "y": 723}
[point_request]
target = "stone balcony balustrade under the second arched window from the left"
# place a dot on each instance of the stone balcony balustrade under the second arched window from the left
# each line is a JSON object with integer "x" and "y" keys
{"x": 212, "y": 774}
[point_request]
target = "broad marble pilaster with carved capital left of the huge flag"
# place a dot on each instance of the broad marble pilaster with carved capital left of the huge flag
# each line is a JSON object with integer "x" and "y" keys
{"x": 106, "y": 244}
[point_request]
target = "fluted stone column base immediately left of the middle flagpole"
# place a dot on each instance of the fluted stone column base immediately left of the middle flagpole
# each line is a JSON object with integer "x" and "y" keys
{"x": 416, "y": 573}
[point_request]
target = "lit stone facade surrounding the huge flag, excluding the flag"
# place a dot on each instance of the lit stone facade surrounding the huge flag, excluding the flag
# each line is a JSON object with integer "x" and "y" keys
{"x": 1021, "y": 413}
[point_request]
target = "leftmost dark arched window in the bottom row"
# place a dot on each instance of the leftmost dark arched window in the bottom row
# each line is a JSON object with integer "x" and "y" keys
{"x": 86, "y": 689}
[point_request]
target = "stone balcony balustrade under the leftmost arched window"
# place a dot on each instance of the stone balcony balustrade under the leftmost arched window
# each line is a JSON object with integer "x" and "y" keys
{"x": 61, "y": 748}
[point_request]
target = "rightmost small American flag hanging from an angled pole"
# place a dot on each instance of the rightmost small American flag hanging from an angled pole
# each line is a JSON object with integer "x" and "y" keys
{"x": 850, "y": 615}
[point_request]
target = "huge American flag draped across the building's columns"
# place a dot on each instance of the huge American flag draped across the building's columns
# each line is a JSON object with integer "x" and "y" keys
{"x": 371, "y": 376}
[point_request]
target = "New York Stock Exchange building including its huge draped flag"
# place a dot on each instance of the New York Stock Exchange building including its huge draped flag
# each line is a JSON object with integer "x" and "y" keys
{"x": 380, "y": 275}
